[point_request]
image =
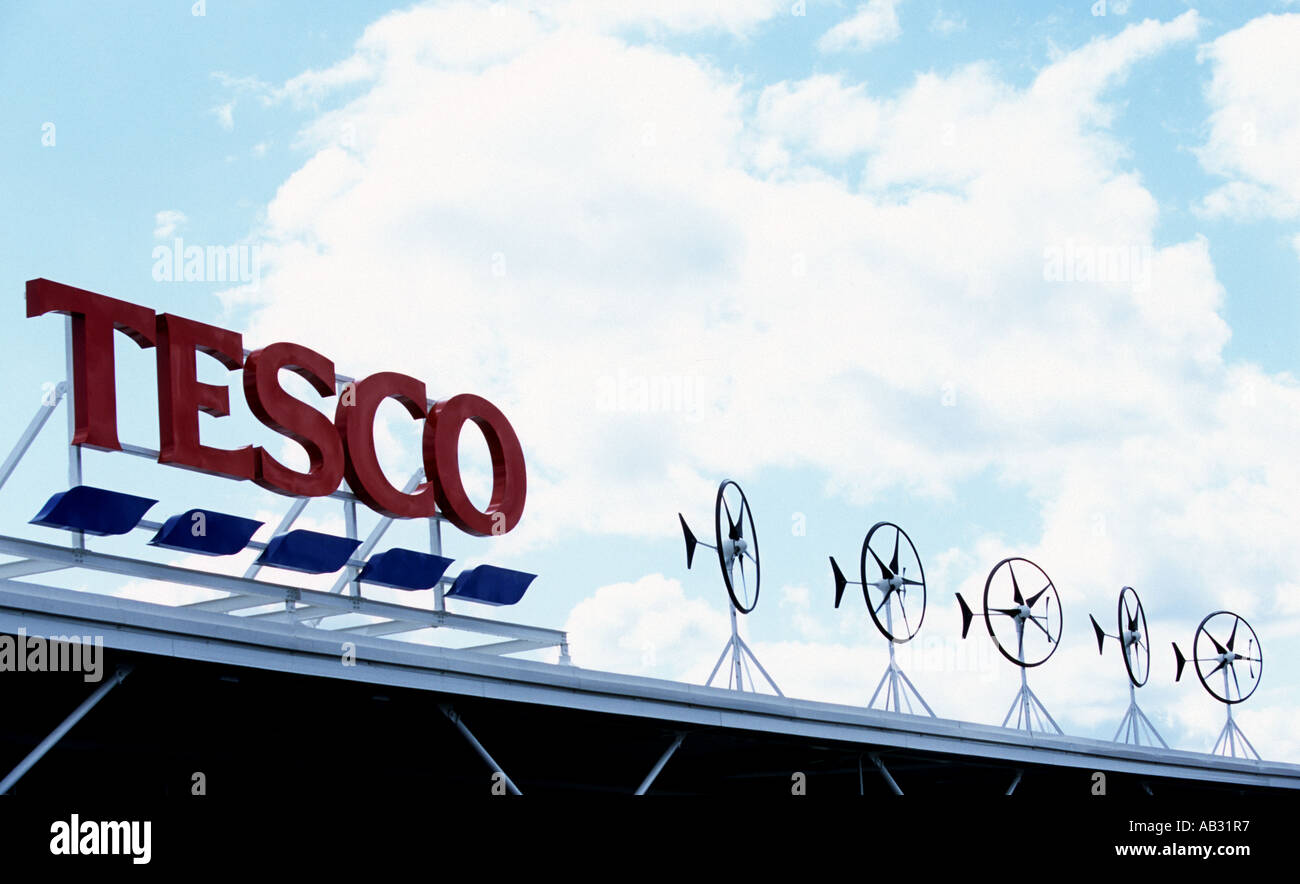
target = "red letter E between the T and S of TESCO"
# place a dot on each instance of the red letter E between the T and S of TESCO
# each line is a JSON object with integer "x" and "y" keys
{"x": 183, "y": 397}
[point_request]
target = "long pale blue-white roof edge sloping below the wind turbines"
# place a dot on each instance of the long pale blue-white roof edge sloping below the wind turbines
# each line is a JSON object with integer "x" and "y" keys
{"x": 133, "y": 626}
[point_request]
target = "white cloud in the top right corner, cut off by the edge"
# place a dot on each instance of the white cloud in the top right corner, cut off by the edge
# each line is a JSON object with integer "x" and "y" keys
{"x": 1255, "y": 122}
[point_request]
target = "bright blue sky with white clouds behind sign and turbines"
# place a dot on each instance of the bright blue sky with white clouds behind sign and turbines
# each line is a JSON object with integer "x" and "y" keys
{"x": 1020, "y": 278}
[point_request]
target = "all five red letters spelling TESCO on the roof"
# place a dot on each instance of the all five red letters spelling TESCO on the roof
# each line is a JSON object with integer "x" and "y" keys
{"x": 344, "y": 449}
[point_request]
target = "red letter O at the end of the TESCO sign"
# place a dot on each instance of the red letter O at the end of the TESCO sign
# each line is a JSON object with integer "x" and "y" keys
{"x": 443, "y": 462}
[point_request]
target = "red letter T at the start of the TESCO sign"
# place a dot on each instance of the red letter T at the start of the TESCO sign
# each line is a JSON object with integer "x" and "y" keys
{"x": 94, "y": 320}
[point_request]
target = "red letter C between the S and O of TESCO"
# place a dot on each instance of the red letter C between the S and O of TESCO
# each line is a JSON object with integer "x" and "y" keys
{"x": 356, "y": 426}
